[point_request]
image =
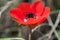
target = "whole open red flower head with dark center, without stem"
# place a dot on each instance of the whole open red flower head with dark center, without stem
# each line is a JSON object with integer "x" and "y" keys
{"x": 26, "y": 13}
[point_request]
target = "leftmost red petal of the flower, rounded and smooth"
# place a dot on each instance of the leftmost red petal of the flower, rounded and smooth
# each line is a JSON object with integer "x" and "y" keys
{"x": 16, "y": 13}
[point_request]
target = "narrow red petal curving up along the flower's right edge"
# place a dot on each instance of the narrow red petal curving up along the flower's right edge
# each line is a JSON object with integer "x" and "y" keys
{"x": 44, "y": 15}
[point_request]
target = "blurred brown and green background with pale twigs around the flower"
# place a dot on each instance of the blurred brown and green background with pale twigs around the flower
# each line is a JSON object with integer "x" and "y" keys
{"x": 48, "y": 30}
